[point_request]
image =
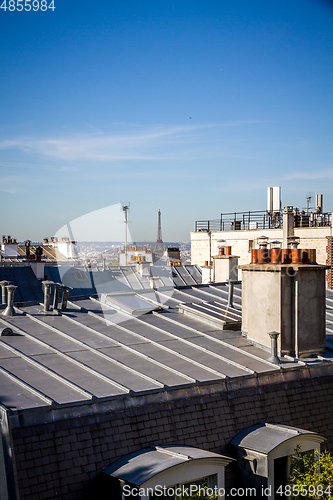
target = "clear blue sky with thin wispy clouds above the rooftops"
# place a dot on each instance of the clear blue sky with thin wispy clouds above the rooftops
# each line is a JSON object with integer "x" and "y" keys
{"x": 189, "y": 106}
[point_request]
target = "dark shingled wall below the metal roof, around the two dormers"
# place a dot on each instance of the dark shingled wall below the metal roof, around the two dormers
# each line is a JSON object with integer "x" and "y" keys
{"x": 61, "y": 459}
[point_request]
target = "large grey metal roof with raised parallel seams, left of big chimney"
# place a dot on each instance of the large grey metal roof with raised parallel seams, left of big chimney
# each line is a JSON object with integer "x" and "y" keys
{"x": 96, "y": 351}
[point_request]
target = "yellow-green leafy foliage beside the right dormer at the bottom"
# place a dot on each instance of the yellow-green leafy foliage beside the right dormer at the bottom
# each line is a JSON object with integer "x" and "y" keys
{"x": 311, "y": 475}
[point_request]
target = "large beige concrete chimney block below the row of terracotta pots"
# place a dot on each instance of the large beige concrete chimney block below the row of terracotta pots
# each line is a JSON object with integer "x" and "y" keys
{"x": 294, "y": 306}
